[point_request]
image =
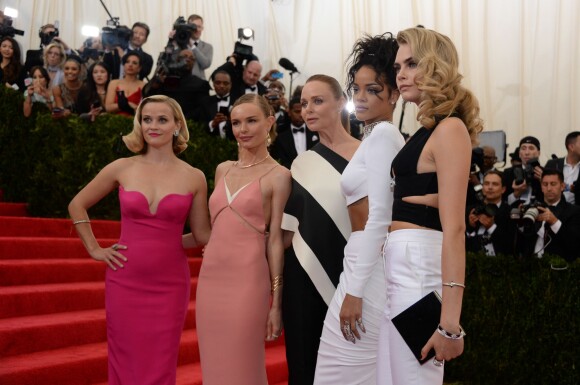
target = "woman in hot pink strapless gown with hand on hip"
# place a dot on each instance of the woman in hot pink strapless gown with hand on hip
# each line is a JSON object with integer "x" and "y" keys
{"x": 147, "y": 280}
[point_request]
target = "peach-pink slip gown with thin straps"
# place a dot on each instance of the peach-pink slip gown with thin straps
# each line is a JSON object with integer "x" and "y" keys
{"x": 233, "y": 290}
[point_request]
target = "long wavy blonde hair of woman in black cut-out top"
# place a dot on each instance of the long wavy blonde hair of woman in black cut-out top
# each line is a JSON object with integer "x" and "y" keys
{"x": 439, "y": 81}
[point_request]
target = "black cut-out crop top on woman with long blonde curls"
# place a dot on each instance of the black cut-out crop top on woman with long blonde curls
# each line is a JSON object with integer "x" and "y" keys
{"x": 410, "y": 183}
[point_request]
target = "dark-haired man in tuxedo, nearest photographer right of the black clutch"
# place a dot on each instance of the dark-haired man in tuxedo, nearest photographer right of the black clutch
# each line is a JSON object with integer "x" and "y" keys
{"x": 488, "y": 225}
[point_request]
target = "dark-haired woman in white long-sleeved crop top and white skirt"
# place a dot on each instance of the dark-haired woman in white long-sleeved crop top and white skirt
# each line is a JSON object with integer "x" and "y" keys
{"x": 348, "y": 346}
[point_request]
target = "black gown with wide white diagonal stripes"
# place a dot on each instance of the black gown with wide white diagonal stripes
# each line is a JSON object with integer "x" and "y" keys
{"x": 316, "y": 212}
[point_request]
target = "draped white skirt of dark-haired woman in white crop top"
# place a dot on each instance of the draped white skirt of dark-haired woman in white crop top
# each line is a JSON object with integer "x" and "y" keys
{"x": 340, "y": 361}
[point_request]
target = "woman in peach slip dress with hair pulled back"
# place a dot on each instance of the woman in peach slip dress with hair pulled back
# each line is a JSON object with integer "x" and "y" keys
{"x": 243, "y": 260}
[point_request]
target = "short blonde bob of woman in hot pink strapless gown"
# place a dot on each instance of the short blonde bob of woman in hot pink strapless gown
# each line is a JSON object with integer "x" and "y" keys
{"x": 134, "y": 140}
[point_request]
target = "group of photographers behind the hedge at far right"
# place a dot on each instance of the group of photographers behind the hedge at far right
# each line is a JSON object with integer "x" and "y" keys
{"x": 527, "y": 210}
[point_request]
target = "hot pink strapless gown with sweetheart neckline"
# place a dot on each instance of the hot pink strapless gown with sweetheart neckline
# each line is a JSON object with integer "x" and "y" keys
{"x": 146, "y": 301}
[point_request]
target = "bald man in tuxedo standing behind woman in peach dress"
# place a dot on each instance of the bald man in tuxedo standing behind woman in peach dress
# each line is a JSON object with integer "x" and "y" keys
{"x": 246, "y": 77}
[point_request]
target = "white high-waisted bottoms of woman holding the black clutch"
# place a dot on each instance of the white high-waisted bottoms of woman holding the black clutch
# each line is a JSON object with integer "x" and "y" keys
{"x": 412, "y": 270}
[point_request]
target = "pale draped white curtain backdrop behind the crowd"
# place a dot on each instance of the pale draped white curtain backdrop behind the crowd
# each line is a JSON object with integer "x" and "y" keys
{"x": 520, "y": 57}
